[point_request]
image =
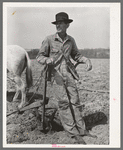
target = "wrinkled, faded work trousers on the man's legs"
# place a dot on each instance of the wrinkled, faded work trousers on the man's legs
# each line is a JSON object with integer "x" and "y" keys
{"x": 65, "y": 90}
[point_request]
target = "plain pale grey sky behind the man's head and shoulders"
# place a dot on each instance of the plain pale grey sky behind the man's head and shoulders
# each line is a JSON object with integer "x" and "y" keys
{"x": 28, "y": 26}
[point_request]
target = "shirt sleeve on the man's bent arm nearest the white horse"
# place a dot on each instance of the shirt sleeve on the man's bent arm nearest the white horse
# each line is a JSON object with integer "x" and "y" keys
{"x": 43, "y": 52}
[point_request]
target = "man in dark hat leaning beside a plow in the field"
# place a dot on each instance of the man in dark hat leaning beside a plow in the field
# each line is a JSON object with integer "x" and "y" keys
{"x": 56, "y": 51}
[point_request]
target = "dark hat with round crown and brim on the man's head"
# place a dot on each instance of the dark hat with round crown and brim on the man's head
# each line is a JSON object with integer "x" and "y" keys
{"x": 62, "y": 16}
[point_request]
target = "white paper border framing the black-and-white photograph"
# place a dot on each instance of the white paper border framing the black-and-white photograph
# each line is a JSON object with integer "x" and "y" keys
{"x": 115, "y": 78}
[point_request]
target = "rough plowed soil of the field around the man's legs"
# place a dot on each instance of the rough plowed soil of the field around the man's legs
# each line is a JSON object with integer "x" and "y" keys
{"x": 22, "y": 128}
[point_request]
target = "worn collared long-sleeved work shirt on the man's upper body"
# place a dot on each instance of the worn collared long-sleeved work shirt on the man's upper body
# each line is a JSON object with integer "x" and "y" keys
{"x": 52, "y": 47}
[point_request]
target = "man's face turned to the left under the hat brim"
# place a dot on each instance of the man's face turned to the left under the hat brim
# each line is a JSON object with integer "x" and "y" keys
{"x": 61, "y": 27}
